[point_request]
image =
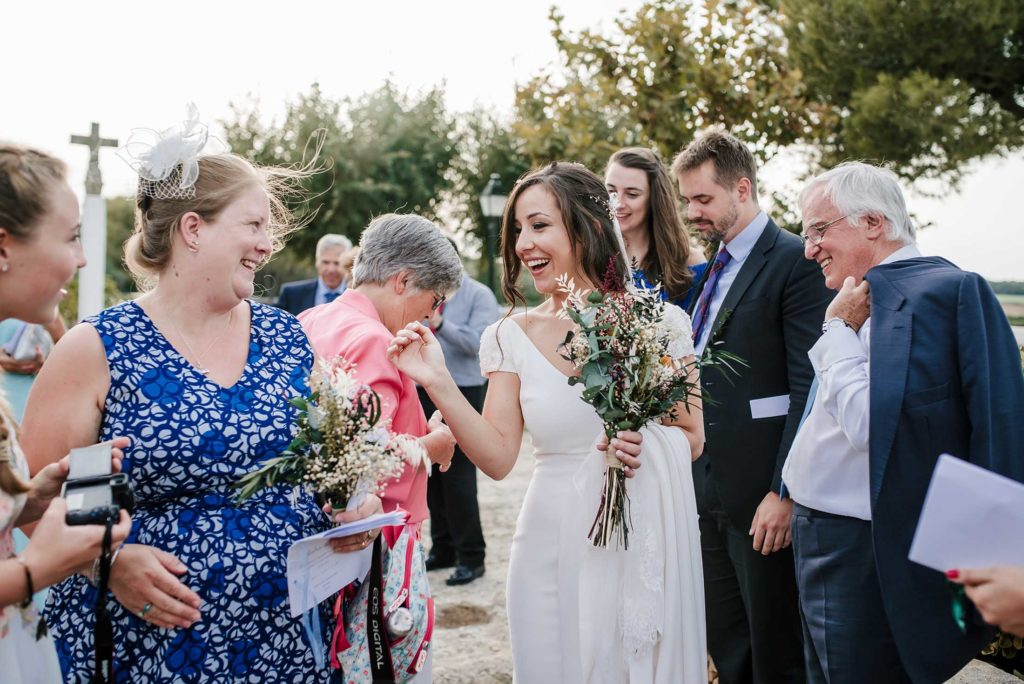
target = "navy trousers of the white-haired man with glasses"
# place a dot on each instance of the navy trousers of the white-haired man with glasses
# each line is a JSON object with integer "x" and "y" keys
{"x": 846, "y": 632}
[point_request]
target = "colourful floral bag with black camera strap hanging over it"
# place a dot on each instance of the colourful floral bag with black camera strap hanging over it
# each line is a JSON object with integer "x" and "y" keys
{"x": 385, "y": 625}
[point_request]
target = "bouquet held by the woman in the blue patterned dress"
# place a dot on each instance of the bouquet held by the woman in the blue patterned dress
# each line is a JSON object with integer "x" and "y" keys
{"x": 340, "y": 449}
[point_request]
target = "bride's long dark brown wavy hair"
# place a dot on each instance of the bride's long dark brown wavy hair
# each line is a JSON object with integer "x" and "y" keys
{"x": 583, "y": 200}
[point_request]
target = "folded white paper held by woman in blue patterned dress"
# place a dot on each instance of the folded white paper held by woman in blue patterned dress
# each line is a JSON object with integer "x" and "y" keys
{"x": 316, "y": 572}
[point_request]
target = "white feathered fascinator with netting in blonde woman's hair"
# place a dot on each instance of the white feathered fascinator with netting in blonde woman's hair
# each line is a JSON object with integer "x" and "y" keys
{"x": 167, "y": 162}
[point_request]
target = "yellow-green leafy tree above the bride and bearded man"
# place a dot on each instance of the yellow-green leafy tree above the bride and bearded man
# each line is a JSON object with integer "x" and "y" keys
{"x": 667, "y": 72}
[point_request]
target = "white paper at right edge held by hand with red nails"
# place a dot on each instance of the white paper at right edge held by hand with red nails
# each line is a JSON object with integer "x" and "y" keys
{"x": 972, "y": 518}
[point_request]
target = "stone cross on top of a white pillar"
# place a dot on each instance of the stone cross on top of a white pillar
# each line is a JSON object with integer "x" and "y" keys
{"x": 92, "y": 280}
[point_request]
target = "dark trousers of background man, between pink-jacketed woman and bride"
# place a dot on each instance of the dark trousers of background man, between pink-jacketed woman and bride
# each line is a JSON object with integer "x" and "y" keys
{"x": 455, "y": 516}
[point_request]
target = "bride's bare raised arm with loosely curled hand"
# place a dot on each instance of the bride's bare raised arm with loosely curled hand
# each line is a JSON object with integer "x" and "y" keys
{"x": 492, "y": 442}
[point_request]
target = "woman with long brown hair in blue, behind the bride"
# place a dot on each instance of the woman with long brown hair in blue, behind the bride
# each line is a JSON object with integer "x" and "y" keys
{"x": 649, "y": 216}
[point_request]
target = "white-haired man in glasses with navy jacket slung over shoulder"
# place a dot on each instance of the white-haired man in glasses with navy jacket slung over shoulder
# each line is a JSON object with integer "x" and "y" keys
{"x": 916, "y": 360}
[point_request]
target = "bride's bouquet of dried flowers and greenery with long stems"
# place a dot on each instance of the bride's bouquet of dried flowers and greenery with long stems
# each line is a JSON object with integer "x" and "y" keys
{"x": 627, "y": 346}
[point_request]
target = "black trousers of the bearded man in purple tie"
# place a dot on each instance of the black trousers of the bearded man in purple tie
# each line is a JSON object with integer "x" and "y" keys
{"x": 751, "y": 603}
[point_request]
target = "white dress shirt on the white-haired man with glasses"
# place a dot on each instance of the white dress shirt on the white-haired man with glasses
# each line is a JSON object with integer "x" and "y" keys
{"x": 828, "y": 468}
